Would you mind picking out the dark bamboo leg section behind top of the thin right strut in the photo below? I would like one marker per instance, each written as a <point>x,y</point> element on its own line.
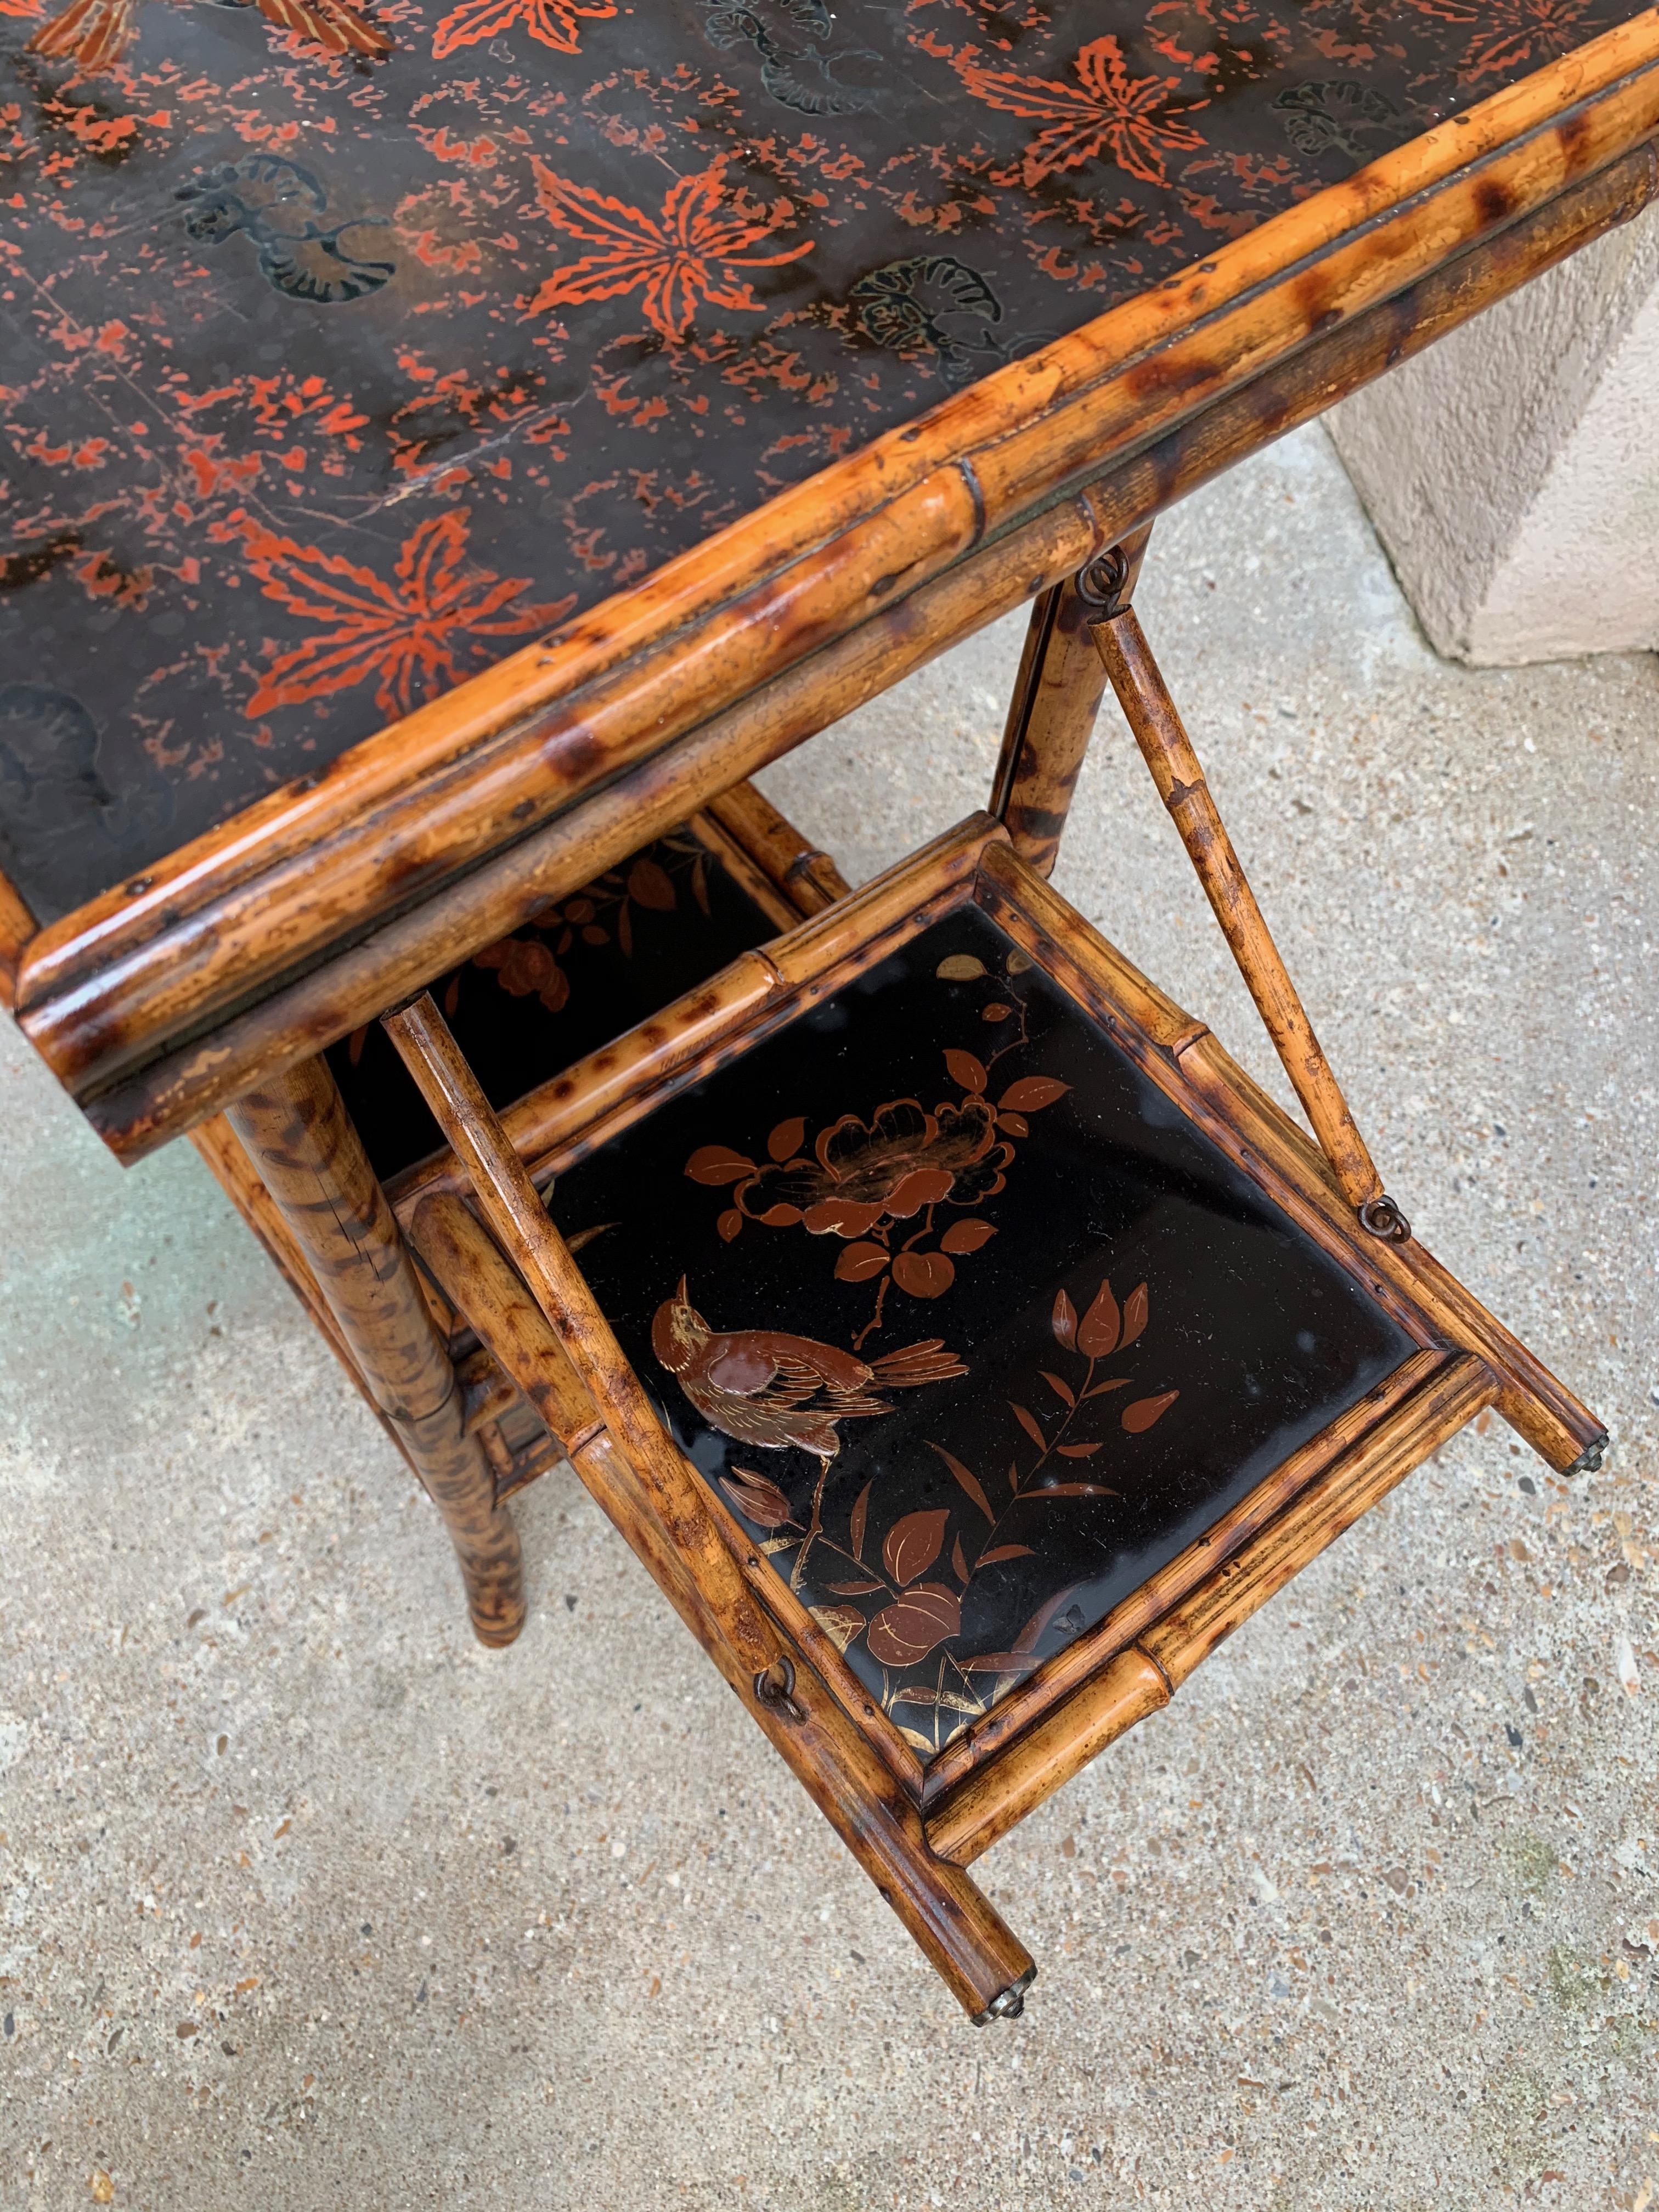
<point>1052,716</point>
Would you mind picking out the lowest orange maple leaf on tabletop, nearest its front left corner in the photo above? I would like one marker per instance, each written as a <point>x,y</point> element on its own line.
<point>406,634</point>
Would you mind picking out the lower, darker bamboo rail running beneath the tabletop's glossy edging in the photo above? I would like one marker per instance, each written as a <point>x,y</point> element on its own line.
<point>187,1081</point>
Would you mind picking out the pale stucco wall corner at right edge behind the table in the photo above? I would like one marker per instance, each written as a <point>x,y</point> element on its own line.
<point>1514,470</point>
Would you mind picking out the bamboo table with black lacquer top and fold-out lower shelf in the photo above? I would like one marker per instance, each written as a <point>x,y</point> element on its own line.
<point>452,455</point>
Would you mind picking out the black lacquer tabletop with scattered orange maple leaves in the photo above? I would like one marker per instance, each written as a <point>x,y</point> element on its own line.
<point>333,379</point>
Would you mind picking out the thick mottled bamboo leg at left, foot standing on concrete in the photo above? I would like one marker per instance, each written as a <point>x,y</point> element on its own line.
<point>315,1169</point>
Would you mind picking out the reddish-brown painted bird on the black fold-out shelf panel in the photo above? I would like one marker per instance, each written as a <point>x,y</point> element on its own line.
<point>775,1390</point>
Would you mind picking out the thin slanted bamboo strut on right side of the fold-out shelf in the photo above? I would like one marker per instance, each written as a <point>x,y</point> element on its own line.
<point>1180,782</point>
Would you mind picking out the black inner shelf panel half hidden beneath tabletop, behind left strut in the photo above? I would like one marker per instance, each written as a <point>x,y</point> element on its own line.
<point>589,968</point>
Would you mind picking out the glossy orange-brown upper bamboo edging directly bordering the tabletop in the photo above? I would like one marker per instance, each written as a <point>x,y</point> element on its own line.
<point>446,789</point>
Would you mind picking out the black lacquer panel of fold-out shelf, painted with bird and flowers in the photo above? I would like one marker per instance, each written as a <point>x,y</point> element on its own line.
<point>961,1317</point>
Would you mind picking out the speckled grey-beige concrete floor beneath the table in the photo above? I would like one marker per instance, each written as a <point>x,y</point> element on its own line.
<point>309,1901</point>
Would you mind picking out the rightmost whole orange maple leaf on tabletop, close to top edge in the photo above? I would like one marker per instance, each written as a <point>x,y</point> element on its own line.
<point>1107,114</point>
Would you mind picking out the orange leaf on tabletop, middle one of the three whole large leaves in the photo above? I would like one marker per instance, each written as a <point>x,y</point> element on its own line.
<point>691,251</point>
